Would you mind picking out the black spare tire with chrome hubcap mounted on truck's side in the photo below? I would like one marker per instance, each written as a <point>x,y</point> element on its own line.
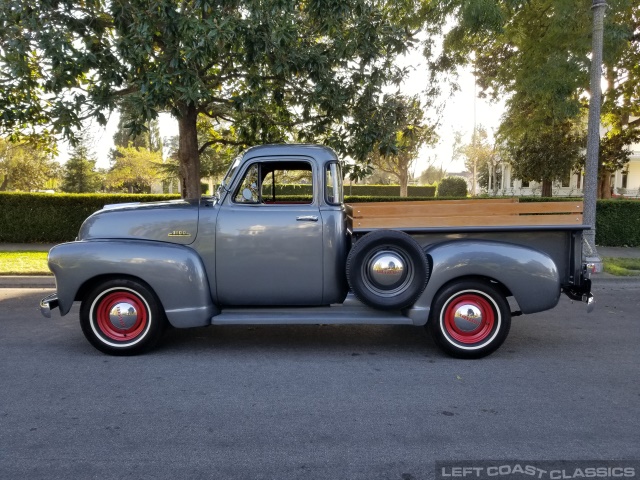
<point>387,269</point>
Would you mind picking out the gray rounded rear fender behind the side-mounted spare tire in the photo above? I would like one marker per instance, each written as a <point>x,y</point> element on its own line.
<point>530,275</point>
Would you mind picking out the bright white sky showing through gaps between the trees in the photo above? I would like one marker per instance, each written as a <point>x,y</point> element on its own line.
<point>457,115</point>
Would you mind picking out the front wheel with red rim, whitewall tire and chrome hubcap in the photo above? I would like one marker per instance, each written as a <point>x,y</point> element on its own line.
<point>122,317</point>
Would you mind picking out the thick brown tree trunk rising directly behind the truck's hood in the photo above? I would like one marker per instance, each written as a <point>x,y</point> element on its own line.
<point>188,154</point>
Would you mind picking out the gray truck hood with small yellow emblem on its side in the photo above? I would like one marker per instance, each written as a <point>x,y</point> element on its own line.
<point>174,221</point>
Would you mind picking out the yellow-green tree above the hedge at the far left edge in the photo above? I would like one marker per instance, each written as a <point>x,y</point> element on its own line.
<point>26,166</point>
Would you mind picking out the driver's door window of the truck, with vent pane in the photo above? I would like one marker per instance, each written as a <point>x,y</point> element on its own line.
<point>276,183</point>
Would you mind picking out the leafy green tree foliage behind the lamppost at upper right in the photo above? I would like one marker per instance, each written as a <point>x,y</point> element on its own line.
<point>537,53</point>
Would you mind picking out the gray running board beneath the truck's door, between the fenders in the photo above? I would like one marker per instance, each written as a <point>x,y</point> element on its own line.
<point>340,314</point>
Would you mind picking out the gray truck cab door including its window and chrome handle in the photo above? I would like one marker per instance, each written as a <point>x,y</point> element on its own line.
<point>269,237</point>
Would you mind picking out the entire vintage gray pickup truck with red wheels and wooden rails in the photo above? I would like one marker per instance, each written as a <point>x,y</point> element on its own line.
<point>277,245</point>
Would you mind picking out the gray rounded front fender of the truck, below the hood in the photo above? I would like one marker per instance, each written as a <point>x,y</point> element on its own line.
<point>174,272</point>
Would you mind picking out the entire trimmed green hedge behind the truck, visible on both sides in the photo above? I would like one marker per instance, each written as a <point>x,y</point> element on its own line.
<point>52,218</point>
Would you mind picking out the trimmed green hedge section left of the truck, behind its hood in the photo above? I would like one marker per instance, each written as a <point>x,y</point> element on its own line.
<point>52,218</point>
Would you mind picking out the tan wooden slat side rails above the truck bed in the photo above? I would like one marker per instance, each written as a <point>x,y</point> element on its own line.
<point>462,213</point>
